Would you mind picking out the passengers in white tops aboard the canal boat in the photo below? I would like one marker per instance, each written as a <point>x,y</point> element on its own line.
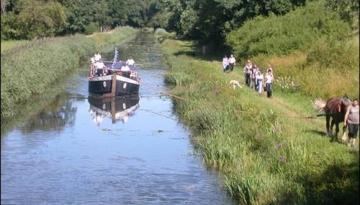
<point>98,67</point>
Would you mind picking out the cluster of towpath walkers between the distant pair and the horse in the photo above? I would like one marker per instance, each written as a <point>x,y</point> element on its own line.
<point>255,79</point>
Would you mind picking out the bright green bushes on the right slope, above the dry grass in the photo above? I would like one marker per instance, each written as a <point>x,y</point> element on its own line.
<point>296,30</point>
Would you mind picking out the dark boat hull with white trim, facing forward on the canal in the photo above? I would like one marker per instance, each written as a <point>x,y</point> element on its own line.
<point>113,85</point>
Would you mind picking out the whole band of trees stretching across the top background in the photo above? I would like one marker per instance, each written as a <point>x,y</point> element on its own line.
<point>208,21</point>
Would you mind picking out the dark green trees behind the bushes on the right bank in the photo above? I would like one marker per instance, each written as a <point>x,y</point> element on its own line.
<point>209,21</point>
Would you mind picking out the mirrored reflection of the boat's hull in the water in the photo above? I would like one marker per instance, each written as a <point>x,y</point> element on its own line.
<point>115,108</point>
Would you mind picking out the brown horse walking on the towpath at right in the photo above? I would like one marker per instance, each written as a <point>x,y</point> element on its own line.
<point>335,109</point>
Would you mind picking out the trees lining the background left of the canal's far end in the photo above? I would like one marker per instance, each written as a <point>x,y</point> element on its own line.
<point>28,19</point>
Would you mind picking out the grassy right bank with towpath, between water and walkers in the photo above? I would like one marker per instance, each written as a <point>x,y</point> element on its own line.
<point>267,150</point>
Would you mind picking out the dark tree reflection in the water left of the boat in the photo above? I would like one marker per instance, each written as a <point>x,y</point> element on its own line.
<point>56,116</point>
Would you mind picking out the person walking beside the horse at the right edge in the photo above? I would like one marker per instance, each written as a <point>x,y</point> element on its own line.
<point>352,121</point>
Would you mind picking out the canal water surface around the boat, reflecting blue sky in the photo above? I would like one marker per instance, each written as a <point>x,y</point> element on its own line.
<point>76,152</point>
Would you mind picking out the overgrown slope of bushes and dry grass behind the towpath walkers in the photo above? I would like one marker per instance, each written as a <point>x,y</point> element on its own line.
<point>311,49</point>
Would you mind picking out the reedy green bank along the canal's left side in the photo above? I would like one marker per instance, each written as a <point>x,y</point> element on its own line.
<point>28,69</point>
